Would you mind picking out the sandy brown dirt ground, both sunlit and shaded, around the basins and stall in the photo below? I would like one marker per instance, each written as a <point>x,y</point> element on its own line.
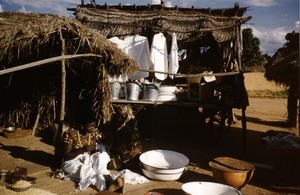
<point>277,170</point>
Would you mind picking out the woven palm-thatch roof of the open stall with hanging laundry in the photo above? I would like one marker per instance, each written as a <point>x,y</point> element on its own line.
<point>190,24</point>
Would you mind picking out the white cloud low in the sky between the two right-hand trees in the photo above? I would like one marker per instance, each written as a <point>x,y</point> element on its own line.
<point>270,39</point>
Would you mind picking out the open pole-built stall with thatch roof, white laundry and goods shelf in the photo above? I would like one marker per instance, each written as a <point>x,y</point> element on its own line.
<point>194,49</point>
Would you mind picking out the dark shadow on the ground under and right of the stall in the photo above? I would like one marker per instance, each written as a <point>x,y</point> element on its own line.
<point>276,170</point>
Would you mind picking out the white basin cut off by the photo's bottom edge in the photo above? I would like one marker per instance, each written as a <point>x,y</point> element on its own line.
<point>208,188</point>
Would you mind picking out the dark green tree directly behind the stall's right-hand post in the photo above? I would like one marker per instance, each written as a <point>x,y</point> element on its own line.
<point>252,55</point>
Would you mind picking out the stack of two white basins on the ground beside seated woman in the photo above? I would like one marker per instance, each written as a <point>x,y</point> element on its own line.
<point>164,165</point>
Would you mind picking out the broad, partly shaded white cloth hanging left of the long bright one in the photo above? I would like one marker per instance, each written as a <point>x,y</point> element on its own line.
<point>137,47</point>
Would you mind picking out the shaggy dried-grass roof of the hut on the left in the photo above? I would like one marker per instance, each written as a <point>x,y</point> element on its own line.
<point>24,36</point>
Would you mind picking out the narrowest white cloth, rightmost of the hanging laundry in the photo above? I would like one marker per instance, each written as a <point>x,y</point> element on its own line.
<point>173,56</point>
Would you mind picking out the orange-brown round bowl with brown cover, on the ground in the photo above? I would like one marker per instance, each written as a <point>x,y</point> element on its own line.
<point>231,171</point>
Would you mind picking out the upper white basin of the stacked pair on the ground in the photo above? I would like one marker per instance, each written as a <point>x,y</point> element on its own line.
<point>164,161</point>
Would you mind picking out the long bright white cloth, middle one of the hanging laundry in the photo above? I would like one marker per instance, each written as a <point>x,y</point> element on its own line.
<point>159,55</point>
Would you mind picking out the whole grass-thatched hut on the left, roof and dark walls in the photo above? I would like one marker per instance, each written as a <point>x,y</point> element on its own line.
<point>29,37</point>
